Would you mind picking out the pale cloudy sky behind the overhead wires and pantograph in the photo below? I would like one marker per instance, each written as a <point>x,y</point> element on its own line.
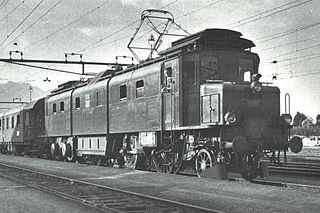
<point>286,32</point>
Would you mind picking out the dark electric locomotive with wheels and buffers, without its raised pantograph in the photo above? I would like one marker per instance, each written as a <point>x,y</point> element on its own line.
<point>199,103</point>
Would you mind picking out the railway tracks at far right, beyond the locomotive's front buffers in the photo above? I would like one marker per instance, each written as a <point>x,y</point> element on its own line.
<point>305,169</point>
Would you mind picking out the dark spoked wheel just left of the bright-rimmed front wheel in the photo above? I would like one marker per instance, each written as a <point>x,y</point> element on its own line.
<point>164,161</point>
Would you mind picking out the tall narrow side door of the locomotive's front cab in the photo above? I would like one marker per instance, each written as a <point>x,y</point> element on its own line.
<point>169,74</point>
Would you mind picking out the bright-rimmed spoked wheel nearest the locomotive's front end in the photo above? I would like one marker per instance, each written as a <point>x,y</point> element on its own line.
<point>203,161</point>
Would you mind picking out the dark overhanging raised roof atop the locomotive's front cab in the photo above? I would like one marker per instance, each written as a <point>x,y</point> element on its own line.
<point>212,39</point>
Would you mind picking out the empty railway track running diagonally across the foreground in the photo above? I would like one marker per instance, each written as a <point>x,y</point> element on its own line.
<point>97,196</point>
